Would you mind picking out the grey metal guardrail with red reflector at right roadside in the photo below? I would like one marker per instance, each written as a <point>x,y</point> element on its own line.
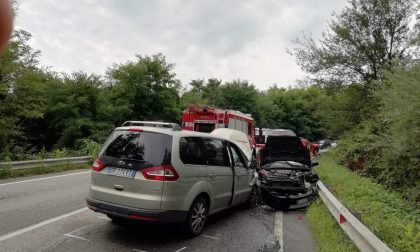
<point>362,237</point>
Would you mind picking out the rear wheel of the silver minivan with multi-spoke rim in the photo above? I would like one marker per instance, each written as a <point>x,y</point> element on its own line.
<point>196,218</point>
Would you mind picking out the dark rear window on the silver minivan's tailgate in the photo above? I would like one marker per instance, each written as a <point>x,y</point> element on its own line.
<point>146,149</point>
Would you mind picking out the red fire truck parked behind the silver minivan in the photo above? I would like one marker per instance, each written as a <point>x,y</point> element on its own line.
<point>204,118</point>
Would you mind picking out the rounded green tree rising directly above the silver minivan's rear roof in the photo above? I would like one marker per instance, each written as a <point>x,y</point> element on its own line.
<point>146,89</point>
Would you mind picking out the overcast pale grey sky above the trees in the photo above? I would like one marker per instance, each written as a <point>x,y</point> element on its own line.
<point>223,39</point>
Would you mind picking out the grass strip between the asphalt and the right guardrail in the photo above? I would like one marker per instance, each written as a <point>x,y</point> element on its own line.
<point>329,236</point>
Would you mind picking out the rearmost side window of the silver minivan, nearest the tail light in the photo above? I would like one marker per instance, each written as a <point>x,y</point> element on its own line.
<point>191,150</point>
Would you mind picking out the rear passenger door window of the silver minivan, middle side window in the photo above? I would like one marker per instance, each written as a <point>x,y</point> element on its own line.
<point>217,154</point>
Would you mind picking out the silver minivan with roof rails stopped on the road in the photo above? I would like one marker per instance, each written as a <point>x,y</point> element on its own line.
<point>165,175</point>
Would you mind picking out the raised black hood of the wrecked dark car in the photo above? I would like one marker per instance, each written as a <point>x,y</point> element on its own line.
<point>285,148</point>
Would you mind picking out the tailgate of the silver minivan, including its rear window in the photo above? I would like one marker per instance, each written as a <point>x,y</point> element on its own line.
<point>126,154</point>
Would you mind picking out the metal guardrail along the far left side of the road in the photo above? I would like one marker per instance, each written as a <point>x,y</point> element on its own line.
<point>17,165</point>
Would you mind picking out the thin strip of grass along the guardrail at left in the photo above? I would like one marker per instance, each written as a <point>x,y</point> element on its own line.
<point>5,172</point>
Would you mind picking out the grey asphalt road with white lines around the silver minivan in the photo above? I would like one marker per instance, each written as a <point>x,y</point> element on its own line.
<point>48,213</point>
